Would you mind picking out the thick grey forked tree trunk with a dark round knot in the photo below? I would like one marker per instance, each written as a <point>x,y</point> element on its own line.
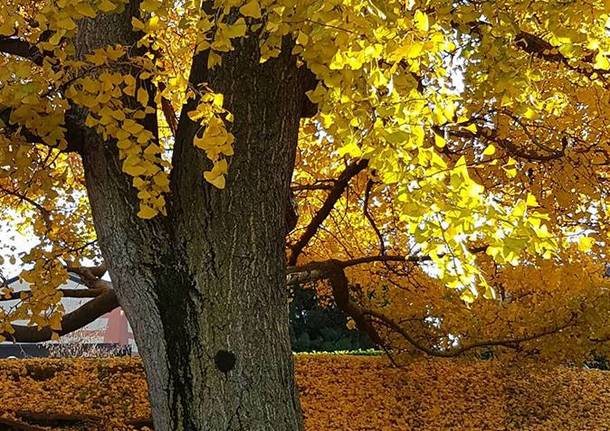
<point>204,287</point>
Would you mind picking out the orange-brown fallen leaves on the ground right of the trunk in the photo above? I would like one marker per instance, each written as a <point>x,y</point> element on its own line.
<point>439,395</point>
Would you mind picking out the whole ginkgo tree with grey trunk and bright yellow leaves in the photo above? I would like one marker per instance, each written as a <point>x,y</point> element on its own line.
<point>444,152</point>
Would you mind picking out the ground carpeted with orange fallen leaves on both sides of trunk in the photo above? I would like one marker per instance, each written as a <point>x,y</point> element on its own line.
<point>337,393</point>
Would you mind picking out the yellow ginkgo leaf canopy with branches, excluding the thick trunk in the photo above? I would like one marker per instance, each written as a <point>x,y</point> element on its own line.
<point>452,173</point>
